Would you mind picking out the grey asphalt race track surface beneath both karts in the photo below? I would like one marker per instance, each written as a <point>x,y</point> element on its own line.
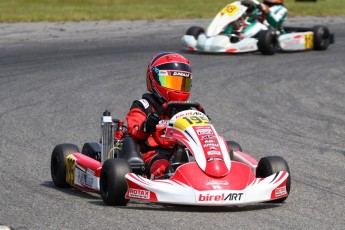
<point>56,79</point>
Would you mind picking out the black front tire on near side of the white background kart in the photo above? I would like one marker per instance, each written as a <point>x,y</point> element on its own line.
<point>267,42</point>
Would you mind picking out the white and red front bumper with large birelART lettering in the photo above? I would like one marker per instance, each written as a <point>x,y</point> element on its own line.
<point>175,191</point>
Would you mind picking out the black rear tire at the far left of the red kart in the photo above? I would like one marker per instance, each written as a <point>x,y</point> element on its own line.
<point>58,163</point>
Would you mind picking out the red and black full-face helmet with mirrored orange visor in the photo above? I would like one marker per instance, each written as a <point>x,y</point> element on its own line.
<point>169,76</point>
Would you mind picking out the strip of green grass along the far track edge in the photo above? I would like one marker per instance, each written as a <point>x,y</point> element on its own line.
<point>89,10</point>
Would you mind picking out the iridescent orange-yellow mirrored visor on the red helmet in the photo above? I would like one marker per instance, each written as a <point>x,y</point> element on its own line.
<point>180,81</point>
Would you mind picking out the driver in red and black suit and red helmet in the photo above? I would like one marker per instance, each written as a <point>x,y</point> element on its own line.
<point>169,78</point>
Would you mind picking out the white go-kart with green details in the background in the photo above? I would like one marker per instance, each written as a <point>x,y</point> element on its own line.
<point>240,27</point>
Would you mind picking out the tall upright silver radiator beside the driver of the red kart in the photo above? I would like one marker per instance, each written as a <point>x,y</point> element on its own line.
<point>107,139</point>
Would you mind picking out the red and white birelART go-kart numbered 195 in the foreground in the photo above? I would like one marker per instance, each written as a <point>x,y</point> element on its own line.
<point>204,170</point>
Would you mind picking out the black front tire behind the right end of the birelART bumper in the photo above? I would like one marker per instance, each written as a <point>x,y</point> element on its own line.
<point>273,164</point>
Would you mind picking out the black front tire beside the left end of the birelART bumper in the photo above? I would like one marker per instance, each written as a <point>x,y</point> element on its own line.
<point>113,185</point>
